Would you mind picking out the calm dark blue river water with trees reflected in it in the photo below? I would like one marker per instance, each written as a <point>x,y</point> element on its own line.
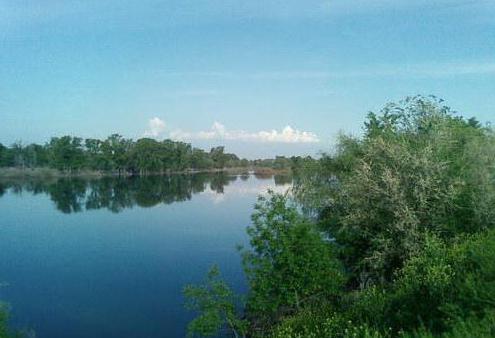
<point>109,257</point>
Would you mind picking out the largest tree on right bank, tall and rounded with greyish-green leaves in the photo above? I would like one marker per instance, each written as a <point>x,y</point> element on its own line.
<point>418,169</point>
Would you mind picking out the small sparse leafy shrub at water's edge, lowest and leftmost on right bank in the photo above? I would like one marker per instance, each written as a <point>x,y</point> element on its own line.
<point>216,303</point>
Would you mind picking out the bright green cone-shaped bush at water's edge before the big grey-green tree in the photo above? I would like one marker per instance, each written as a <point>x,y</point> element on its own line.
<point>289,264</point>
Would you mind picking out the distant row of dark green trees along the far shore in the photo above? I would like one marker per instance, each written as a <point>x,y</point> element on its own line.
<point>125,156</point>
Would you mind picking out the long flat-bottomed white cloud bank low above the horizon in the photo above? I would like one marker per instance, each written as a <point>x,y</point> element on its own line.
<point>219,132</point>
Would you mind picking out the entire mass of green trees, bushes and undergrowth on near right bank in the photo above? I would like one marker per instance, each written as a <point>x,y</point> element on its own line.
<point>392,235</point>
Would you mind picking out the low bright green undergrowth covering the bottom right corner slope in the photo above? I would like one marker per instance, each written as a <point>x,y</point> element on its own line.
<point>447,291</point>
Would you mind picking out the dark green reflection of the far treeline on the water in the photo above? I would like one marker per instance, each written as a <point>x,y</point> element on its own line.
<point>72,195</point>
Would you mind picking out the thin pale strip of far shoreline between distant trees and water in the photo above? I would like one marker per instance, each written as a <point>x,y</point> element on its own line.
<point>54,173</point>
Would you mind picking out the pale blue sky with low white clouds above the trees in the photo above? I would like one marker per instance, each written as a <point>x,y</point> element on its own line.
<point>260,77</point>
